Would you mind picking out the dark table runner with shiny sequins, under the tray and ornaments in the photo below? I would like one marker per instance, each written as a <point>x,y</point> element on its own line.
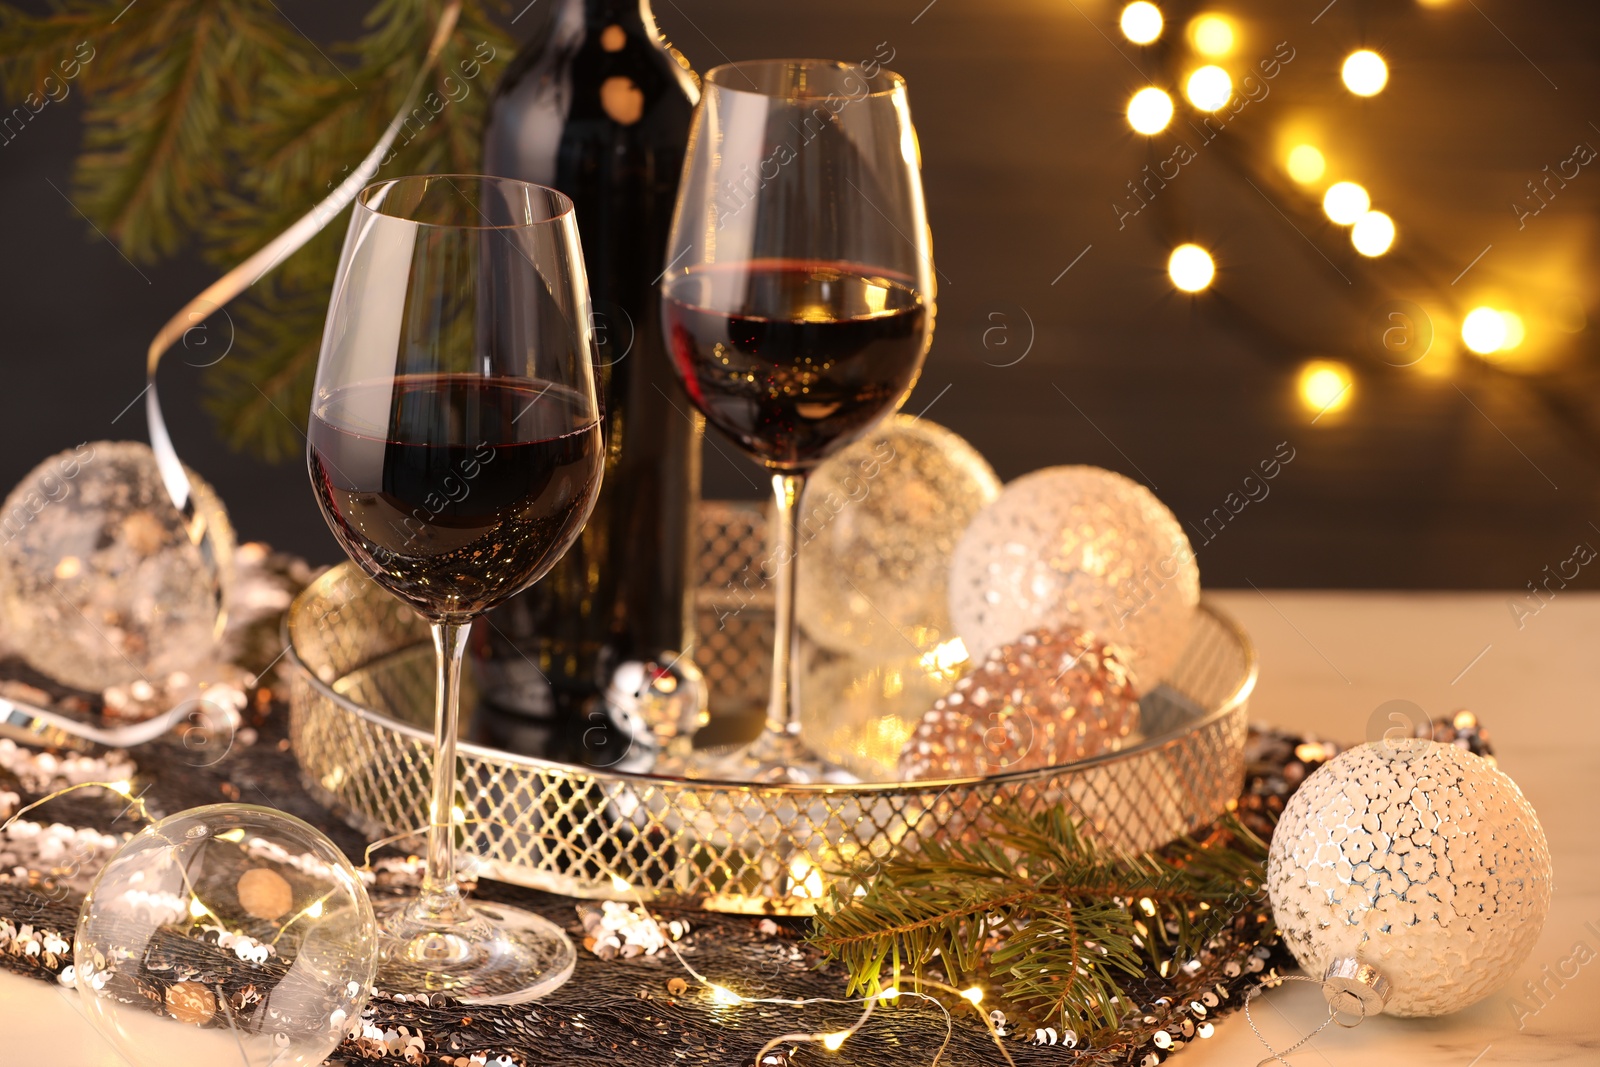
<point>628,1010</point>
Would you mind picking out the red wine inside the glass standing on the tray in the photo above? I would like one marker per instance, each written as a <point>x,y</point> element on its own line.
<point>833,350</point>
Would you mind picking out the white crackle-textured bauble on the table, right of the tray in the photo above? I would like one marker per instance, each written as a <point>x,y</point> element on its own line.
<point>1422,861</point>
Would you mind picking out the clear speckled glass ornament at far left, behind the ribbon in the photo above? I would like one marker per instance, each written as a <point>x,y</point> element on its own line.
<point>102,580</point>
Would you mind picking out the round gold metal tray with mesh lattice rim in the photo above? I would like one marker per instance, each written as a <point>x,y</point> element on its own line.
<point>361,727</point>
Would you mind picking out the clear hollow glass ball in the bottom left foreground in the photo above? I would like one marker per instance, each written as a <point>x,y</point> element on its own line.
<point>226,937</point>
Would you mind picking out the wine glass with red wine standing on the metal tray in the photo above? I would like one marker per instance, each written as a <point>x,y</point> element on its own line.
<point>798,298</point>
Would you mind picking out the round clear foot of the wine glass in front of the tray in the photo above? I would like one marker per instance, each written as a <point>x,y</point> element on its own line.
<point>495,956</point>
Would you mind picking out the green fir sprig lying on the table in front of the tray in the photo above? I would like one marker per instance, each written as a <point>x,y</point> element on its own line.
<point>1041,916</point>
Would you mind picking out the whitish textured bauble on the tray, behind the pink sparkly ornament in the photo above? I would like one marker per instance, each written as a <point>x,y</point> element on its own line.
<point>1078,546</point>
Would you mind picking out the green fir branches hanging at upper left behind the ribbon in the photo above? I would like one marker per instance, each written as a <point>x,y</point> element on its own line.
<point>215,121</point>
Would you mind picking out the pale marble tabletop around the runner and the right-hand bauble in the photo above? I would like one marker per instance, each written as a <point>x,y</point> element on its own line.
<point>1327,663</point>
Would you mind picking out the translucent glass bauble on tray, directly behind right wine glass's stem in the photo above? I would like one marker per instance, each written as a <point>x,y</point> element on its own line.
<point>884,519</point>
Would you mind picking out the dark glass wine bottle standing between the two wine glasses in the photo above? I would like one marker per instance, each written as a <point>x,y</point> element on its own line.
<point>599,106</point>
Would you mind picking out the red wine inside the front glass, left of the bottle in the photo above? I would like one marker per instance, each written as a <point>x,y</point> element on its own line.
<point>455,492</point>
